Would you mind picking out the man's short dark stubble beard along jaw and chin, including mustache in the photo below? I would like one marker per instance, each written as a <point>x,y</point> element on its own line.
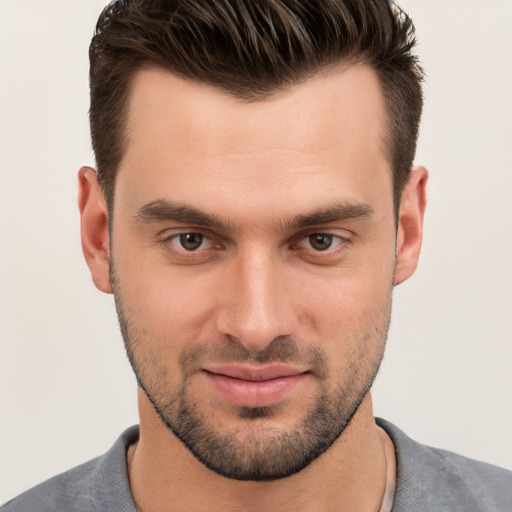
<point>251,452</point>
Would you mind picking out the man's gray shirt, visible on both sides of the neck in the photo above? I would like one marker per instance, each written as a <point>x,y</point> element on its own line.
<point>428,480</point>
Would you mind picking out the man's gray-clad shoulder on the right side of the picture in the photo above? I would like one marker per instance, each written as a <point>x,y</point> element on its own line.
<point>440,480</point>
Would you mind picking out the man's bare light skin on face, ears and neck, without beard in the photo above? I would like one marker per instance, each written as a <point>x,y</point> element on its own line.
<point>257,167</point>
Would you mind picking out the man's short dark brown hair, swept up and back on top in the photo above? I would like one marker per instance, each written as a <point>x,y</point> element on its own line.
<point>251,49</point>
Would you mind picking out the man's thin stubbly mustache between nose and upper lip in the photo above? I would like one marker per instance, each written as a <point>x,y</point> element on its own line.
<point>282,349</point>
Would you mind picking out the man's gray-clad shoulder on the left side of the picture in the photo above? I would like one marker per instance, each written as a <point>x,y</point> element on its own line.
<point>100,484</point>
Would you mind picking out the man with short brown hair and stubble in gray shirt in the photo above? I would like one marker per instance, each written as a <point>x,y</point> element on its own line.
<point>252,211</point>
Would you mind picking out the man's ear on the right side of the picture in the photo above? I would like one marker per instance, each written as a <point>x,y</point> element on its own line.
<point>410,224</point>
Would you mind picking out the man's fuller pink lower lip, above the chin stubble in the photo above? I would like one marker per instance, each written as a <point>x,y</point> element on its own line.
<point>246,393</point>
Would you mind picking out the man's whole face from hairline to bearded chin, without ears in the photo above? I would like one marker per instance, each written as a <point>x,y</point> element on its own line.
<point>253,255</point>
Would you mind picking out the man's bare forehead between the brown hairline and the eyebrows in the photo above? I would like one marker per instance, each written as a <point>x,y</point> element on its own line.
<point>324,135</point>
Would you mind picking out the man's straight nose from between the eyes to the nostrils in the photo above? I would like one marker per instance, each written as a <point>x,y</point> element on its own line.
<point>256,303</point>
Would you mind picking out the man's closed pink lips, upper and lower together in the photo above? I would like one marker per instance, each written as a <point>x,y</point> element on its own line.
<point>250,386</point>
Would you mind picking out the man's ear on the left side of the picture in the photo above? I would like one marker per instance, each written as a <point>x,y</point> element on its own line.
<point>94,227</point>
